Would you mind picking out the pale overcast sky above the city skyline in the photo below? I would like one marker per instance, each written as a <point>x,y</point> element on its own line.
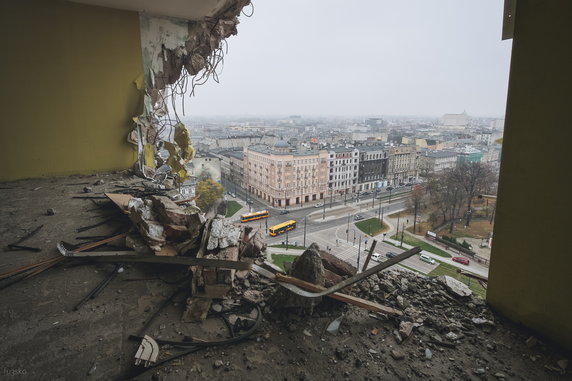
<point>368,57</point>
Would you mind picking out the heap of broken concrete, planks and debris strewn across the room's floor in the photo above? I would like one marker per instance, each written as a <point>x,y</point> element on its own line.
<point>210,285</point>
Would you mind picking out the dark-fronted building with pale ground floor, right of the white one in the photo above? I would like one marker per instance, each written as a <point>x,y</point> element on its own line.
<point>372,167</point>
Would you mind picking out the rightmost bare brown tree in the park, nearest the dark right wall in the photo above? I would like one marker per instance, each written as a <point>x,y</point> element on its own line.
<point>472,177</point>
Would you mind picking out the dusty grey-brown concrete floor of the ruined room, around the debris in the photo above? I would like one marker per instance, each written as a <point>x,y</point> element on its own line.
<point>42,338</point>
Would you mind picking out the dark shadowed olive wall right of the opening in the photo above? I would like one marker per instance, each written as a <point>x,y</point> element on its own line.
<point>530,277</point>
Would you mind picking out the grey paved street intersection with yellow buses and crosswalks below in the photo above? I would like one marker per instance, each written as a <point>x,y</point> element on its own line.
<point>333,229</point>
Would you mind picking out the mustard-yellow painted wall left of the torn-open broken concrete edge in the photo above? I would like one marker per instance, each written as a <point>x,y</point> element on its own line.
<point>66,86</point>
